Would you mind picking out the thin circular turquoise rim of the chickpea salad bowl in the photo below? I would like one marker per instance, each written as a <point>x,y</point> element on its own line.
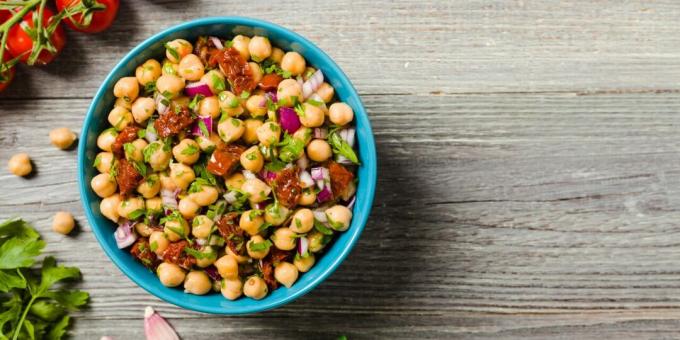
<point>370,160</point>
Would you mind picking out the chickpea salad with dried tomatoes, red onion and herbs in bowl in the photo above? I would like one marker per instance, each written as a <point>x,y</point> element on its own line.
<point>229,166</point>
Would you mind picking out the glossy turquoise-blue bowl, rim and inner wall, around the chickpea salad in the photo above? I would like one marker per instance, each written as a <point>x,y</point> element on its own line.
<point>96,121</point>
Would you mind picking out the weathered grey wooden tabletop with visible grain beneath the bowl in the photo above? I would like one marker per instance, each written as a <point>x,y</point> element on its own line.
<point>529,175</point>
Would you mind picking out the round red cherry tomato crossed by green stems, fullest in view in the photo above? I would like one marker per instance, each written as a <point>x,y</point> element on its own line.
<point>19,43</point>
